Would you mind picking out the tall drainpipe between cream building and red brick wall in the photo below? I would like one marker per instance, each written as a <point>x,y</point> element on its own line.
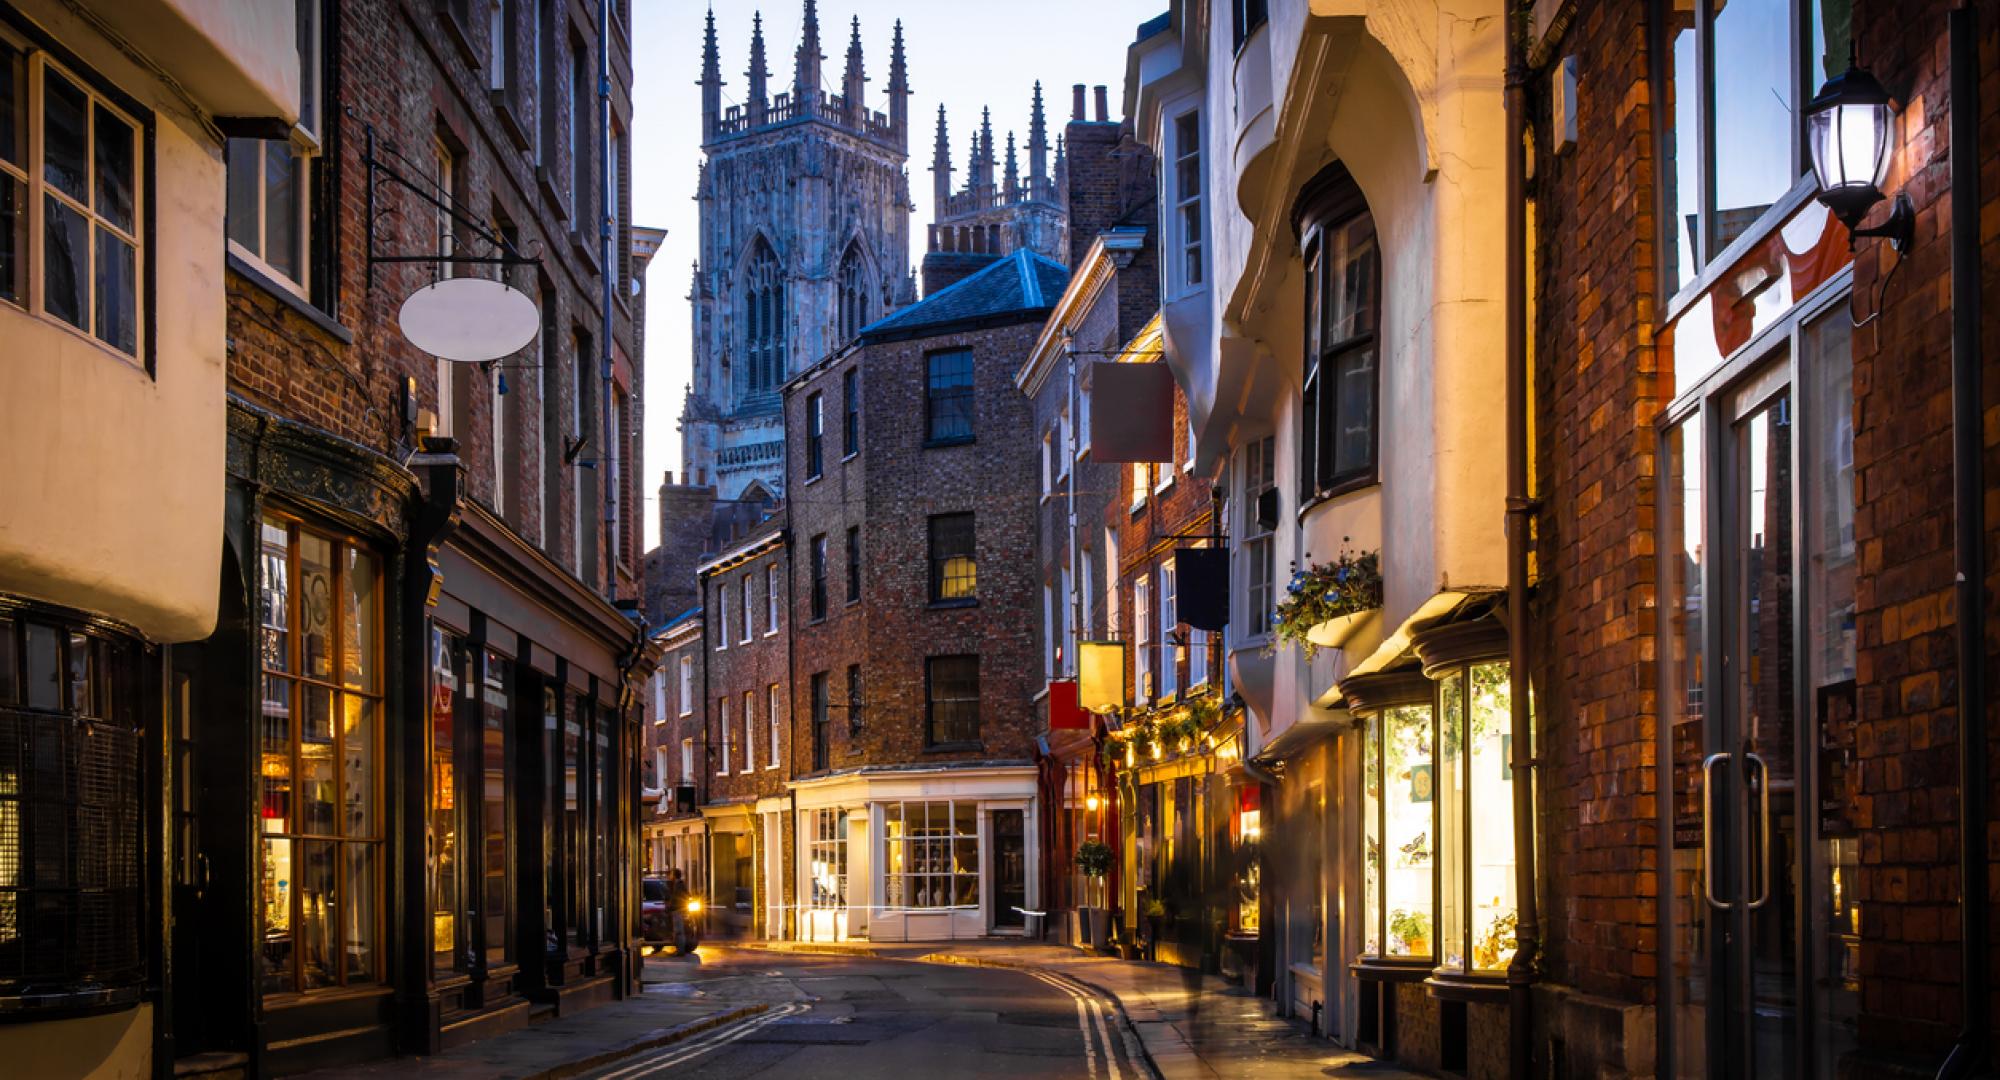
<point>1519,517</point>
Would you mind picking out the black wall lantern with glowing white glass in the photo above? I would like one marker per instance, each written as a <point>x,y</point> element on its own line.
<point>1851,133</point>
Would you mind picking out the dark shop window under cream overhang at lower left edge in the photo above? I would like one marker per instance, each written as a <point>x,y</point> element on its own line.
<point>71,815</point>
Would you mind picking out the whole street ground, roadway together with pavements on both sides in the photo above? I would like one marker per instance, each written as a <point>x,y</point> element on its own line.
<point>863,1009</point>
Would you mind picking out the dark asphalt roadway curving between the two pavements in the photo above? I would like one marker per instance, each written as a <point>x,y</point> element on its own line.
<point>853,1019</point>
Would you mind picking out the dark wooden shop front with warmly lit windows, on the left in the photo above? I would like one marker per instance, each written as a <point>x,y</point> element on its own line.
<point>395,769</point>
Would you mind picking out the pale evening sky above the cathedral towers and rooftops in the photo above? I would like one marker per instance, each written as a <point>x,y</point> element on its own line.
<point>961,53</point>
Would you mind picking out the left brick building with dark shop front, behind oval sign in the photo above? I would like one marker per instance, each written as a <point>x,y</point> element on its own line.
<point>419,723</point>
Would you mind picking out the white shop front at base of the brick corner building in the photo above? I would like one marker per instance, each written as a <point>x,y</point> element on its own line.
<point>903,855</point>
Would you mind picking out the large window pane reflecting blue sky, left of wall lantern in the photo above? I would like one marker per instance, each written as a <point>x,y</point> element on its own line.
<point>1753,109</point>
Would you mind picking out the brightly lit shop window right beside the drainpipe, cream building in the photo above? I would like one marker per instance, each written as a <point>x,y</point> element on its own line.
<point>1475,821</point>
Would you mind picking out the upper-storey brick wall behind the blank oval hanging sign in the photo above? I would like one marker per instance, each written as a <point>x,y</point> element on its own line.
<point>413,75</point>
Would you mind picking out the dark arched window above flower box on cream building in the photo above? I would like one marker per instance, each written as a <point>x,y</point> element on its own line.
<point>1339,407</point>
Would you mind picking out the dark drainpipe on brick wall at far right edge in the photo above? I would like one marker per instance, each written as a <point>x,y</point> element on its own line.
<point>1969,537</point>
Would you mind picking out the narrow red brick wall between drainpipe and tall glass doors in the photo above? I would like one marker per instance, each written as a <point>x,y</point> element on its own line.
<point>1599,385</point>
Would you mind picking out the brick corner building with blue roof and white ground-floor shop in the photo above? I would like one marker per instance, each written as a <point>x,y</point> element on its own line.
<point>913,523</point>
